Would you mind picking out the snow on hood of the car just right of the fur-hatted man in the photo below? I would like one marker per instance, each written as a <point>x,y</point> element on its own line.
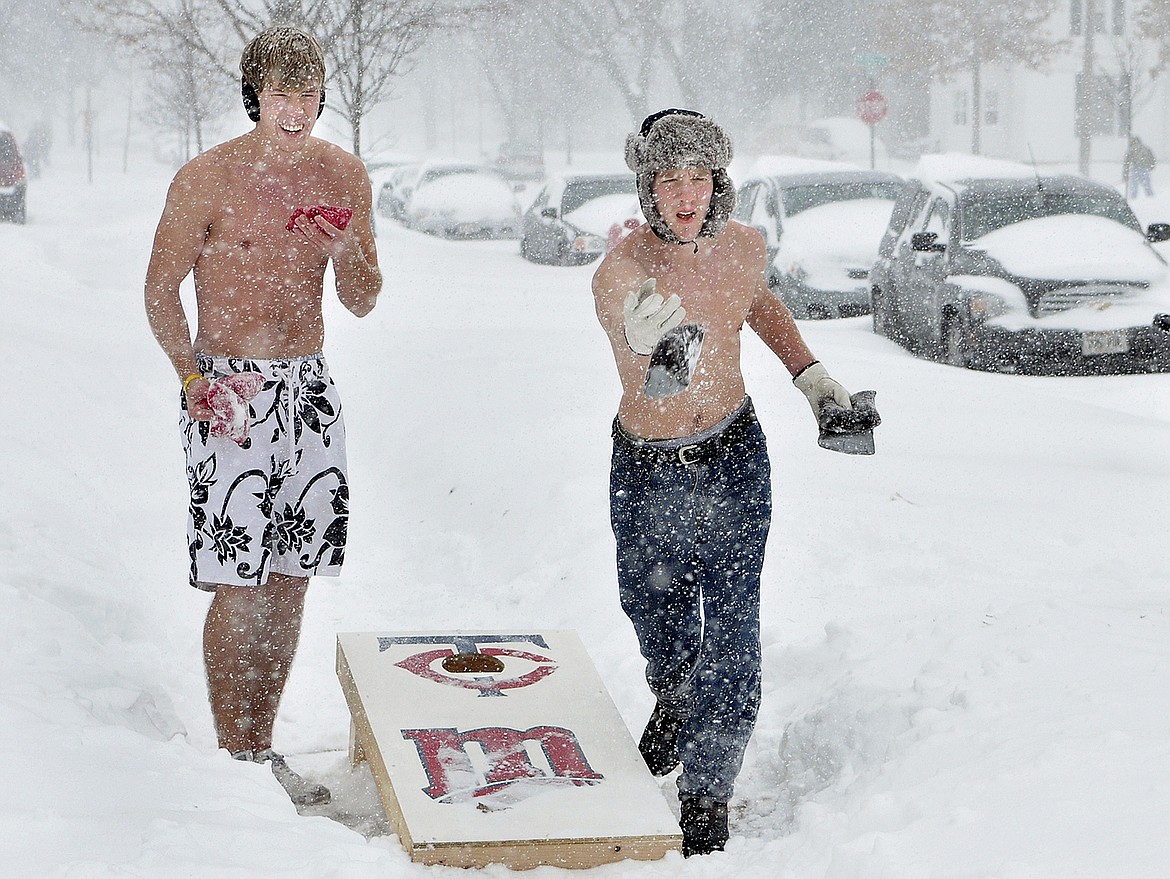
<point>828,241</point>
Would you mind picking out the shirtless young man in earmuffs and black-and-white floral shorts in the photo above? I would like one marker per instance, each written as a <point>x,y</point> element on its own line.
<point>270,497</point>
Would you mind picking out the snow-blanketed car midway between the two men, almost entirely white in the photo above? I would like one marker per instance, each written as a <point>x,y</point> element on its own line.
<point>467,204</point>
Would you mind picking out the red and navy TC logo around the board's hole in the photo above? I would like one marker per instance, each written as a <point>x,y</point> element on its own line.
<point>464,664</point>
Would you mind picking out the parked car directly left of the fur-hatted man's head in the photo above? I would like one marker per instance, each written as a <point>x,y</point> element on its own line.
<point>573,218</point>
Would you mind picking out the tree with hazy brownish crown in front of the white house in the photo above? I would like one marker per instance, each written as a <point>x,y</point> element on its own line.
<point>942,39</point>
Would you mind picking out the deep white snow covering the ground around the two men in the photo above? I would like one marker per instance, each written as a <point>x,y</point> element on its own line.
<point>967,636</point>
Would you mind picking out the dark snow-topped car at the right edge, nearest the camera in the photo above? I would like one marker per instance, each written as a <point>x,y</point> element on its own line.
<point>995,266</point>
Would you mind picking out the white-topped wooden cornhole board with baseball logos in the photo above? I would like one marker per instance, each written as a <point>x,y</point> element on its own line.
<point>500,748</point>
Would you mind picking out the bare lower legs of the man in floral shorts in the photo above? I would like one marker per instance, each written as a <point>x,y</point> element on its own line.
<point>250,641</point>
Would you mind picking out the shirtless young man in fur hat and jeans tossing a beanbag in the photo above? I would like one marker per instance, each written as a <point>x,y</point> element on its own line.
<point>691,491</point>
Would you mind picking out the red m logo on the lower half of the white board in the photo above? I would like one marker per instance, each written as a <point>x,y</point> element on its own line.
<point>505,759</point>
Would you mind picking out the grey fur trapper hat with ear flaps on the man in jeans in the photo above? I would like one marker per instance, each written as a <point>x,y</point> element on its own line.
<point>682,139</point>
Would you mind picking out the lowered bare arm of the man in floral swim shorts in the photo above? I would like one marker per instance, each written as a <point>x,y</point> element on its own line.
<point>178,243</point>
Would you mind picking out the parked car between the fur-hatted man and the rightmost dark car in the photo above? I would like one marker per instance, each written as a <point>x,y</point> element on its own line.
<point>822,225</point>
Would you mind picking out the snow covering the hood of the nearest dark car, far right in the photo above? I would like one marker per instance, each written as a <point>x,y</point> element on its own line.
<point>1073,248</point>
